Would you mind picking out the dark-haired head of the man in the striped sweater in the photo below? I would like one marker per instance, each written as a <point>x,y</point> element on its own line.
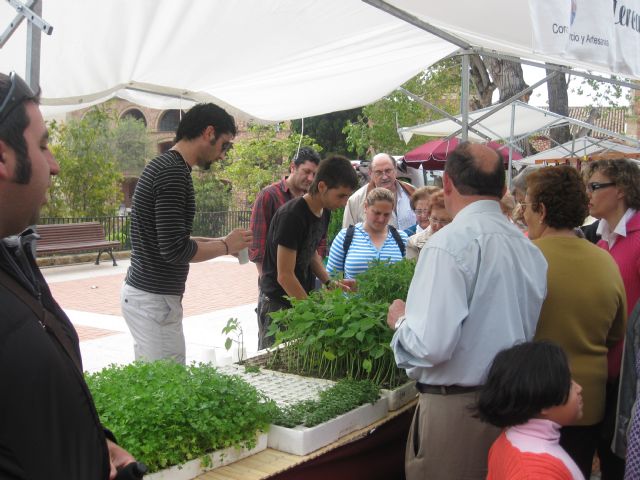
<point>212,127</point>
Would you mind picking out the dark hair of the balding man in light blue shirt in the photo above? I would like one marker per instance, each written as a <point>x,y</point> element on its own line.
<point>469,178</point>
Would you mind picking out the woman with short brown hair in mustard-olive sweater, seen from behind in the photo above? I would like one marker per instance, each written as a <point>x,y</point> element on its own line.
<point>585,310</point>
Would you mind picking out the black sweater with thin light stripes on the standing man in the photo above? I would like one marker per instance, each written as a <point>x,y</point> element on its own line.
<point>161,223</point>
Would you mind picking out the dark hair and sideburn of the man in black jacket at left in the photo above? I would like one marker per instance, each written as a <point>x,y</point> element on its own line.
<point>12,130</point>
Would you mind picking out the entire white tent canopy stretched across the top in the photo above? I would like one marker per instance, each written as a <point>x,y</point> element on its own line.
<point>283,59</point>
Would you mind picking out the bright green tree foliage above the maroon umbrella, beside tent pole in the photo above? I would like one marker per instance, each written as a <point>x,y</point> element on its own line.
<point>376,129</point>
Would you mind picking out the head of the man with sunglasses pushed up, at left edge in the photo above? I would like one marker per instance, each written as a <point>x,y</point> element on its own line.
<point>26,163</point>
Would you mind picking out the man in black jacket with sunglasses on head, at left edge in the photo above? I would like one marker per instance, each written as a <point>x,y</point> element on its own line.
<point>49,428</point>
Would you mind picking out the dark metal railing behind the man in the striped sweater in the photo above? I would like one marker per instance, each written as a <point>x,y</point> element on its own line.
<point>205,224</point>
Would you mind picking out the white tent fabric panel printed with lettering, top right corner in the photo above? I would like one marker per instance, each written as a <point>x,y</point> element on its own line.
<point>594,35</point>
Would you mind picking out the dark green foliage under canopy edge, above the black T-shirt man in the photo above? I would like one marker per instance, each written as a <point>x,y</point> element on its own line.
<point>327,129</point>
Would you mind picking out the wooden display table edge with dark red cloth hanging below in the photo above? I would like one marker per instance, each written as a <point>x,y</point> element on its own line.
<point>376,451</point>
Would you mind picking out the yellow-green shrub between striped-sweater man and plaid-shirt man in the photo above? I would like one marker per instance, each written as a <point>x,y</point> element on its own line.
<point>259,160</point>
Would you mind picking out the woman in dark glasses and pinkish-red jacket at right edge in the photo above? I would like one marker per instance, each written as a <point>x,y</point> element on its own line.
<point>613,187</point>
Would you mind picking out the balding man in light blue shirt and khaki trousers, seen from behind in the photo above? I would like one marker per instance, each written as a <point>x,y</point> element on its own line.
<point>477,289</point>
